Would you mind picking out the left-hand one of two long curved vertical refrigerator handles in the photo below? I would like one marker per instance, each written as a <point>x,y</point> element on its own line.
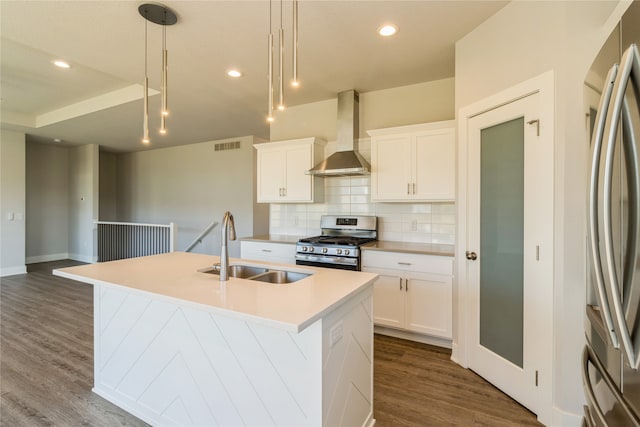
<point>596,145</point>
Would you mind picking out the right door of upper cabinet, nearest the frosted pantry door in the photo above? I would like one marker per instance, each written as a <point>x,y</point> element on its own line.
<point>435,166</point>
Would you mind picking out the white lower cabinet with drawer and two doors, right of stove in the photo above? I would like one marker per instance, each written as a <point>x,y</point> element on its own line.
<point>413,292</point>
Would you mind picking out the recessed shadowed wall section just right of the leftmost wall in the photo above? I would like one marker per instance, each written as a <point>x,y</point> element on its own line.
<point>47,192</point>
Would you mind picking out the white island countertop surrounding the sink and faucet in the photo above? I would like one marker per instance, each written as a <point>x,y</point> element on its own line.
<point>291,306</point>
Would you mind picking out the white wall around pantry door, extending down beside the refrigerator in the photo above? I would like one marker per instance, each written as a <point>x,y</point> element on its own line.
<point>523,40</point>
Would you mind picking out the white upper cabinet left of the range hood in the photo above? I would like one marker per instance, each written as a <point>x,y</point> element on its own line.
<point>281,171</point>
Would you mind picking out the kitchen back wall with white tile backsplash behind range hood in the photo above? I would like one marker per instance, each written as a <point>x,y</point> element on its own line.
<point>419,103</point>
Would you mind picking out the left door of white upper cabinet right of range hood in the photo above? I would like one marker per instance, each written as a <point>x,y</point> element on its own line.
<point>391,168</point>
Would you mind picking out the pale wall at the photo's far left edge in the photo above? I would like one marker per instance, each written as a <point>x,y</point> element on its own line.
<point>12,203</point>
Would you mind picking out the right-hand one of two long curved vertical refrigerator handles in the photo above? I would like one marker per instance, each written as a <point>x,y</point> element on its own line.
<point>629,63</point>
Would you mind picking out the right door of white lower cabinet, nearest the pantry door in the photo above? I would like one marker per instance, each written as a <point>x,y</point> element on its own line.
<point>428,305</point>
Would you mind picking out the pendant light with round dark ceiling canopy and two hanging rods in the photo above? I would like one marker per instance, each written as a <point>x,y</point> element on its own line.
<point>161,15</point>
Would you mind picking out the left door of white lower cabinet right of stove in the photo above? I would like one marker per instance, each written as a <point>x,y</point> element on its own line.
<point>388,301</point>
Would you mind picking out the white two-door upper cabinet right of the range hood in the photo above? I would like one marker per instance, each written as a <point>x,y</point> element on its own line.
<point>413,163</point>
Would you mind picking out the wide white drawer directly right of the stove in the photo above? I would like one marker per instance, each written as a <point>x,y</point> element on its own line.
<point>408,262</point>
